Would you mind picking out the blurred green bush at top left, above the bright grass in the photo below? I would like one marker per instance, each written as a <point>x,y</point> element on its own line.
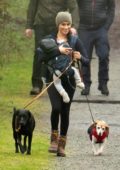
<point>13,42</point>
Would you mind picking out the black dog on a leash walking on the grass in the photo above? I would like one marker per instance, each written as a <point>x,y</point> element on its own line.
<point>23,123</point>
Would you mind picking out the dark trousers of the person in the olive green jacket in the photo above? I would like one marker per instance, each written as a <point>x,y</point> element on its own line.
<point>39,69</point>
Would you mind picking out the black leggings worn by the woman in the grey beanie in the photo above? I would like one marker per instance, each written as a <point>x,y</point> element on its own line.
<point>60,110</point>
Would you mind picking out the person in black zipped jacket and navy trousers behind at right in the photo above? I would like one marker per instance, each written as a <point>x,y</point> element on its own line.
<point>96,17</point>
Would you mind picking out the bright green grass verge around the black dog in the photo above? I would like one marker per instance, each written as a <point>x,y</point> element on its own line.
<point>15,84</point>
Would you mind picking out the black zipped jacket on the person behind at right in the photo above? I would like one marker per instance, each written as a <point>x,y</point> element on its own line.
<point>96,13</point>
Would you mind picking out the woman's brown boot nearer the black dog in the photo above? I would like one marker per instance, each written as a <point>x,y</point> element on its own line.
<point>54,142</point>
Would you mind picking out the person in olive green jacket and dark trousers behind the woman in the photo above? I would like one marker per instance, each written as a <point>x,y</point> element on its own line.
<point>40,18</point>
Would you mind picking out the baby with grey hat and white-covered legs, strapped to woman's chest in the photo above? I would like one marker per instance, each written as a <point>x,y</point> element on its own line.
<point>59,64</point>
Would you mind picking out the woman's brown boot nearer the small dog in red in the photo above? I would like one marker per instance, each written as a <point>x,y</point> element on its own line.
<point>61,146</point>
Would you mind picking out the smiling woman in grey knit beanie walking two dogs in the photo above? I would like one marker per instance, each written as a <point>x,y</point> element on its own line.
<point>61,110</point>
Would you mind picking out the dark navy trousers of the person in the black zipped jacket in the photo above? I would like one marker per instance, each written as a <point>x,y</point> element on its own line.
<point>98,39</point>
